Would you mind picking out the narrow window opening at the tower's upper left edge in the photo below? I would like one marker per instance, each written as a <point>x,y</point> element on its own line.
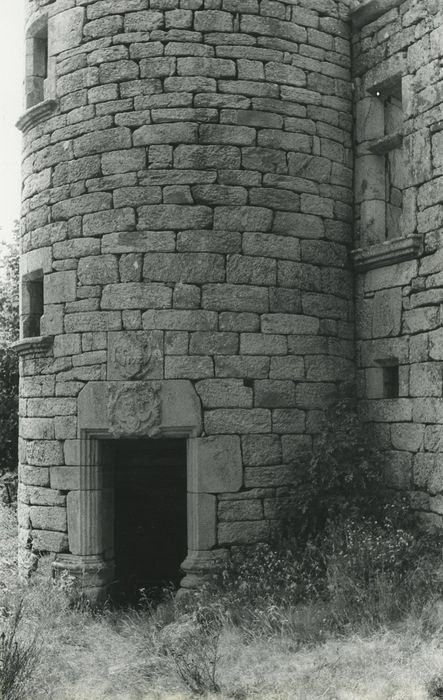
<point>36,63</point>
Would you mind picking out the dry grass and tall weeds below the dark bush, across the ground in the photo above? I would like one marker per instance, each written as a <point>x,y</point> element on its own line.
<point>357,617</point>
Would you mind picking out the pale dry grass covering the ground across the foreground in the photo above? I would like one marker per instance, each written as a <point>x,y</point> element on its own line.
<point>289,653</point>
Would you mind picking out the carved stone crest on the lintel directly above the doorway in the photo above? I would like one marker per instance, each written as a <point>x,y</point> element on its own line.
<point>134,409</point>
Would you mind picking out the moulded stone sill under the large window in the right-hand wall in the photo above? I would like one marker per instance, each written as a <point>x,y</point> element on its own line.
<point>390,252</point>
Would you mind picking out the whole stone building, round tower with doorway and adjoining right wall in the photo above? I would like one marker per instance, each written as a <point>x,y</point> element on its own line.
<point>187,283</point>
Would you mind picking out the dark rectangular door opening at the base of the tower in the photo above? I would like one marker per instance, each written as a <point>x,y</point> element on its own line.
<point>150,525</point>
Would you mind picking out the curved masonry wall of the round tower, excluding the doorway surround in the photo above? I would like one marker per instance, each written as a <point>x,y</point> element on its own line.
<point>192,188</point>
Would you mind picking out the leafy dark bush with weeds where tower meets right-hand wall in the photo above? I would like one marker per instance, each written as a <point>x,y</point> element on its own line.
<point>351,548</point>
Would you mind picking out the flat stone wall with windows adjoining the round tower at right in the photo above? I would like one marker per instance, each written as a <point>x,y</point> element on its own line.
<point>399,215</point>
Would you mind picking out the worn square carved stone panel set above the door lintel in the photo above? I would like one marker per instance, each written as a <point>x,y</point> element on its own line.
<point>135,355</point>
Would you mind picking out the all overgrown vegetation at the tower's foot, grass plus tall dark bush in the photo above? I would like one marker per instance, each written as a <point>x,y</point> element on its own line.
<point>347,605</point>
